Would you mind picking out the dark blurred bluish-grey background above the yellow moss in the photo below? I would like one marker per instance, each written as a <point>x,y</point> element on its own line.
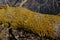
<point>40,6</point>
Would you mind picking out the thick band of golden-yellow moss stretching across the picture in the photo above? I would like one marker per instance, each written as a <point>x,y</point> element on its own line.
<point>38,23</point>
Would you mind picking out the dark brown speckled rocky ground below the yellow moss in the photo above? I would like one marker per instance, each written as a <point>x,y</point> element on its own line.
<point>19,34</point>
